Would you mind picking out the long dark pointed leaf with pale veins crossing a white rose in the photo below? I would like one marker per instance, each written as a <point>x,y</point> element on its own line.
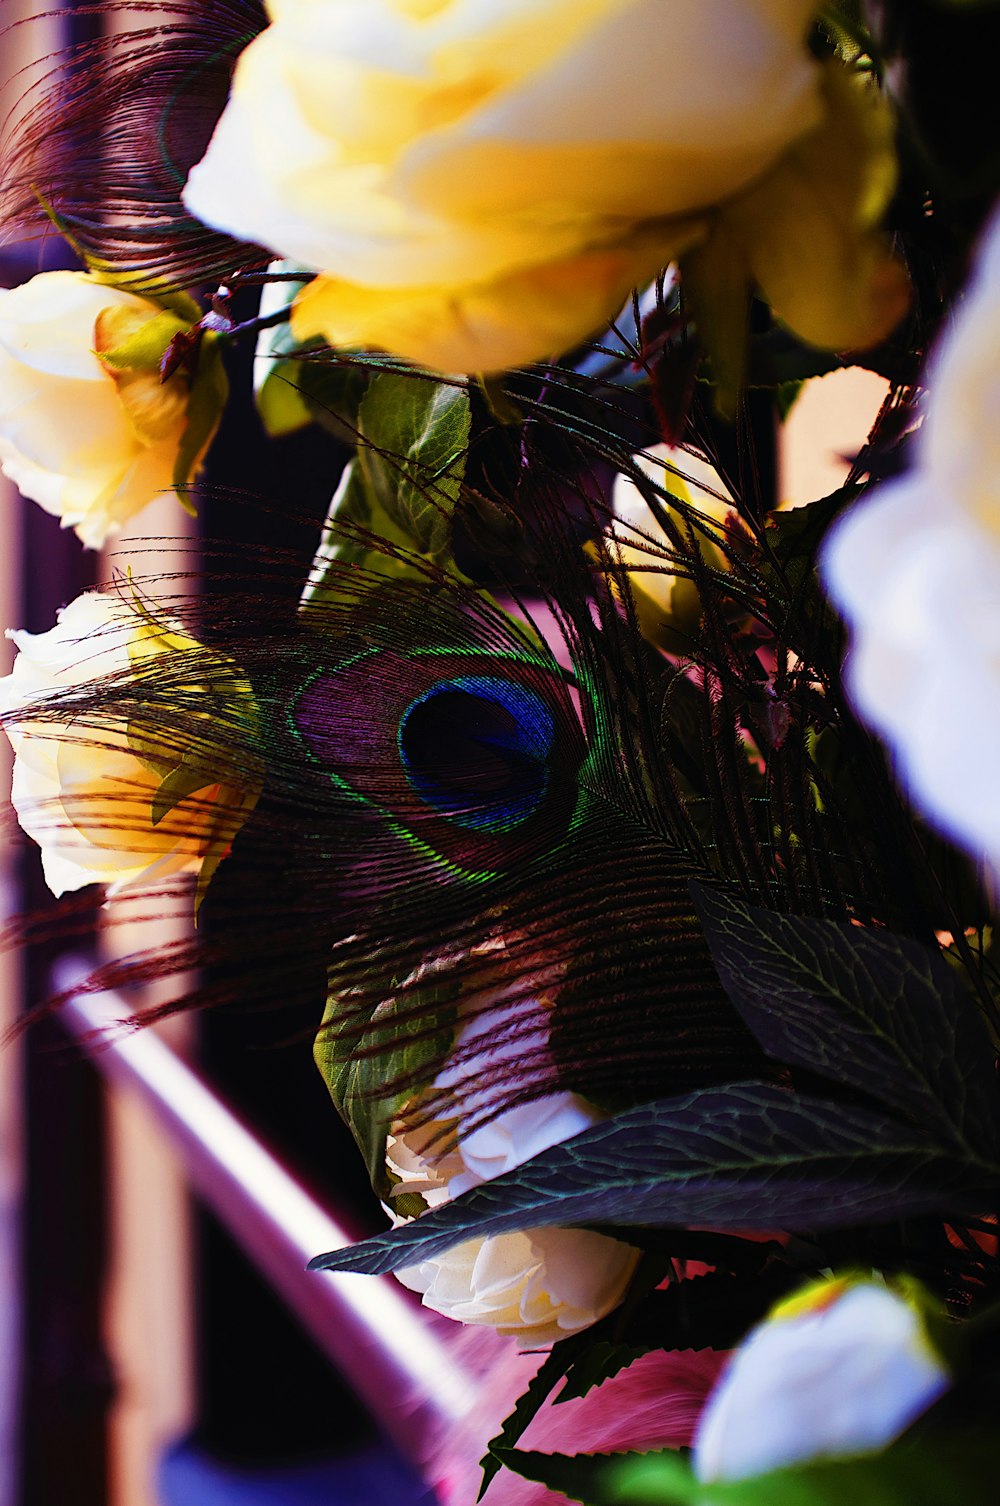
<point>751,1156</point>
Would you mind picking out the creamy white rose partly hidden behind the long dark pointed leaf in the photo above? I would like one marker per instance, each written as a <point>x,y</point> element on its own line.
<point>535,1285</point>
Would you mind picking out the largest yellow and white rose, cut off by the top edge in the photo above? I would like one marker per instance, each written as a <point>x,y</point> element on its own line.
<point>481,184</point>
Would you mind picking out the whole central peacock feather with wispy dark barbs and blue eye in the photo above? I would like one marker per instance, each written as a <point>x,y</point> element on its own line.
<point>441,784</point>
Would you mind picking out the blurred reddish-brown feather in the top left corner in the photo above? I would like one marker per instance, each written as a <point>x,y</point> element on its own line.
<point>105,142</point>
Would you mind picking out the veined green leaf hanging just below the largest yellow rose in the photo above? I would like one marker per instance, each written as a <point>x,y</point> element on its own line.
<point>415,434</point>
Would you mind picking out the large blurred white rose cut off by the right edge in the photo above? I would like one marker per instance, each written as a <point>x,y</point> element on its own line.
<point>915,569</point>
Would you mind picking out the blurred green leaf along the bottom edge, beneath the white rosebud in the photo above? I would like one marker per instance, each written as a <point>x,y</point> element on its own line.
<point>933,1471</point>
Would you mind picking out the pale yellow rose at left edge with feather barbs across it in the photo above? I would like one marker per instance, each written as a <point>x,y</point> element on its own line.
<point>106,797</point>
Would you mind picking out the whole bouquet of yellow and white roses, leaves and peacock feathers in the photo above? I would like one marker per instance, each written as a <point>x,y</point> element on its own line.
<point>657,934</point>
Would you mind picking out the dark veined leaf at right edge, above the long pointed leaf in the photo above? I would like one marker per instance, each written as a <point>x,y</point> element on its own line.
<point>865,1008</point>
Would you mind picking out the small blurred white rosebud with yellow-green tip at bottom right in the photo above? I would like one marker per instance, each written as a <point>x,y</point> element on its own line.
<point>840,1370</point>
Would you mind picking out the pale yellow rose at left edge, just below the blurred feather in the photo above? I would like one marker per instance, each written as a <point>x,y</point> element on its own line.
<point>88,441</point>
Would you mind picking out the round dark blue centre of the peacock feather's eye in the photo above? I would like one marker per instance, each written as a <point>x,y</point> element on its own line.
<point>477,749</point>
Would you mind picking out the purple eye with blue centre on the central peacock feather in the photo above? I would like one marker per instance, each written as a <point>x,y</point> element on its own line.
<point>471,757</point>
